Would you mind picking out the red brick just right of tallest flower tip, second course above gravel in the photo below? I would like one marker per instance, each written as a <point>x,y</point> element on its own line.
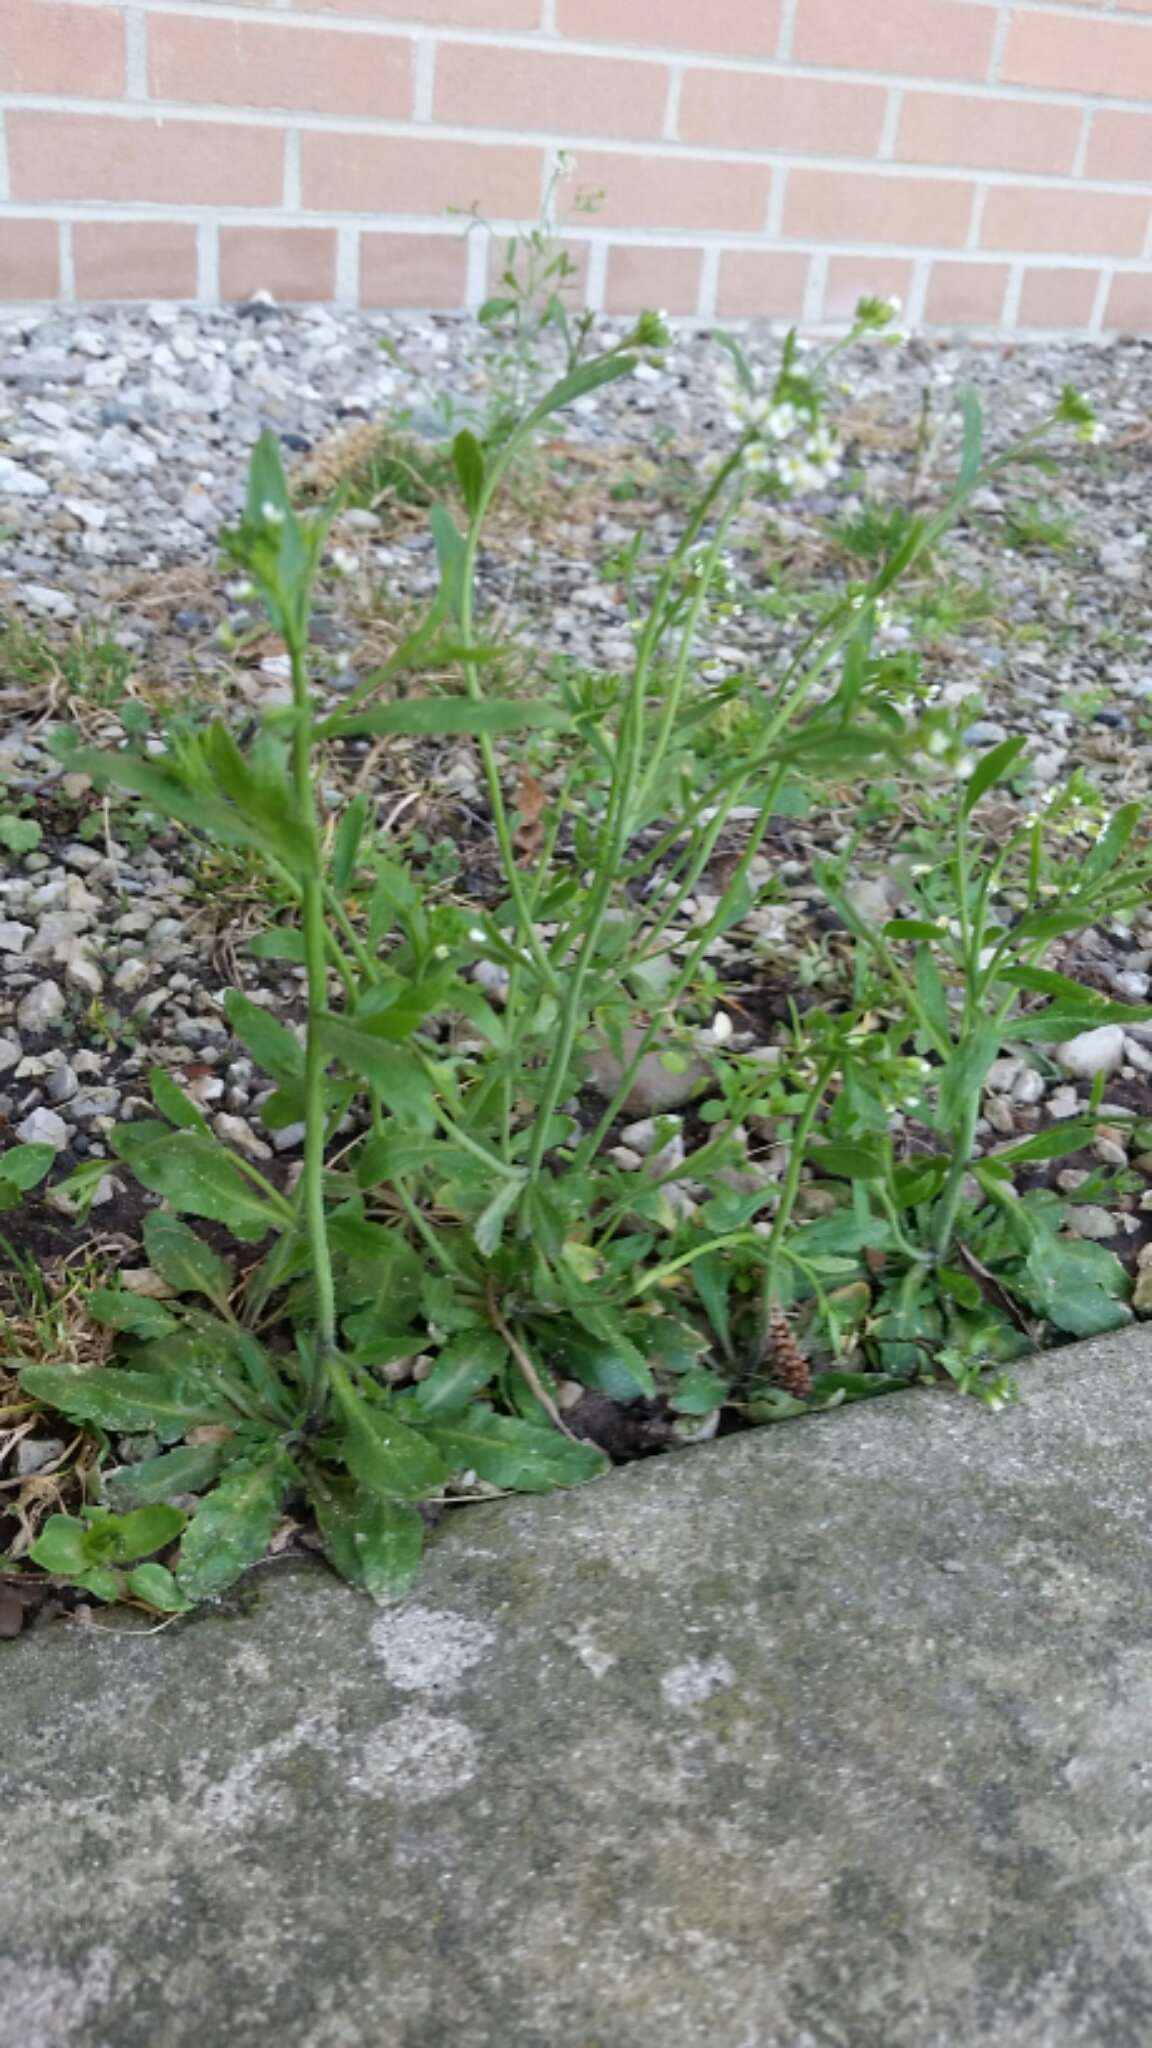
<point>677,191</point>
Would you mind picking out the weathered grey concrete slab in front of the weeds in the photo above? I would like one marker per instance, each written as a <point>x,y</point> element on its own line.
<point>831,1738</point>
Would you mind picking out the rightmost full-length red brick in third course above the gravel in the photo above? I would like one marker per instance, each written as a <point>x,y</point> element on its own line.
<point>958,128</point>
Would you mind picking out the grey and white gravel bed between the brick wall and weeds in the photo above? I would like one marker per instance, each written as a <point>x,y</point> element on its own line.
<point>124,443</point>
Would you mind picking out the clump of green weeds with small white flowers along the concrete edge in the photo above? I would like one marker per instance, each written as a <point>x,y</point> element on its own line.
<point>462,1244</point>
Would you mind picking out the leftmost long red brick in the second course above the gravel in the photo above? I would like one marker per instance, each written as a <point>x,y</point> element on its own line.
<point>161,161</point>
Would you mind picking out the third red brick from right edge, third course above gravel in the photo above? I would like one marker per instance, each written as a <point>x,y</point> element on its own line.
<point>805,116</point>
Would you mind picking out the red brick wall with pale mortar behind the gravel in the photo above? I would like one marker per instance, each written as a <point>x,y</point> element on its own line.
<point>989,161</point>
